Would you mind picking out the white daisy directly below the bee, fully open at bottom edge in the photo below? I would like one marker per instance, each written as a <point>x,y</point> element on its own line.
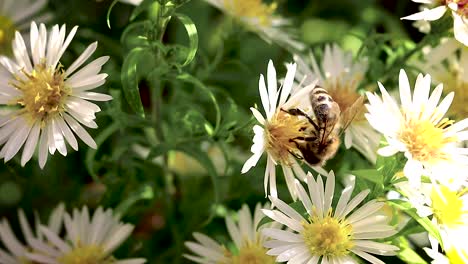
<point>328,235</point>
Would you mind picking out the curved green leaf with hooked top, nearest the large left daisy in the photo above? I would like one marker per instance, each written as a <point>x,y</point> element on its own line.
<point>129,77</point>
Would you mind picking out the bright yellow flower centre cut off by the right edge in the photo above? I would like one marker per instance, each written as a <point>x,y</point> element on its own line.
<point>448,207</point>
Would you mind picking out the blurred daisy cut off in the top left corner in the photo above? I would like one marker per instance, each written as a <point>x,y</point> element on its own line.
<point>17,15</point>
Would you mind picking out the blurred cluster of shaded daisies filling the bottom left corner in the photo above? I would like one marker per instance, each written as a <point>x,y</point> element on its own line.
<point>87,238</point>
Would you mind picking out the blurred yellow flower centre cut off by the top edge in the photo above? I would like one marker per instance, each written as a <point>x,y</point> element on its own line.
<point>253,9</point>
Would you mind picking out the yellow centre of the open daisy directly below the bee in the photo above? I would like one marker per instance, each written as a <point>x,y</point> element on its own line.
<point>327,236</point>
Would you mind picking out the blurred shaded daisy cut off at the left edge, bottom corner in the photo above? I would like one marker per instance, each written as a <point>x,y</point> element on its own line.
<point>16,251</point>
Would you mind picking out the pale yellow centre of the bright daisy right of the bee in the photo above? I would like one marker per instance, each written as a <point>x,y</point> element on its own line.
<point>425,140</point>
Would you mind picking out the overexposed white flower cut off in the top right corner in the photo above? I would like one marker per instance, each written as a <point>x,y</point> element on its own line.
<point>435,9</point>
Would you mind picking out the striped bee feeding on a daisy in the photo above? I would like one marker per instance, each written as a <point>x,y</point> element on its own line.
<point>321,140</point>
